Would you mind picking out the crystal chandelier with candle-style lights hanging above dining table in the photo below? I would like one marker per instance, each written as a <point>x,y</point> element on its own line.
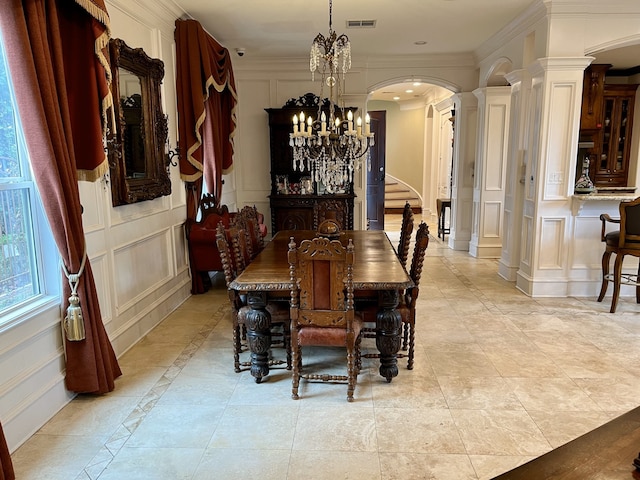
<point>329,147</point>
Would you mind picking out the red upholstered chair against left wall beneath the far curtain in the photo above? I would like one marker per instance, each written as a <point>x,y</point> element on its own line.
<point>203,252</point>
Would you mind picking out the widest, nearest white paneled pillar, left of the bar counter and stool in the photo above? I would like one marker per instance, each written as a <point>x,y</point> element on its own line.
<point>554,122</point>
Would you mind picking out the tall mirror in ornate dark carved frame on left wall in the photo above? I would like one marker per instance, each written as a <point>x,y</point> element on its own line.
<point>138,162</point>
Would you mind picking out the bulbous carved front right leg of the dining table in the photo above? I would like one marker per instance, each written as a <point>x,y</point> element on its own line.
<point>388,322</point>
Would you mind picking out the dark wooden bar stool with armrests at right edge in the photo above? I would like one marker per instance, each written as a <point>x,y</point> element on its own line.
<point>625,241</point>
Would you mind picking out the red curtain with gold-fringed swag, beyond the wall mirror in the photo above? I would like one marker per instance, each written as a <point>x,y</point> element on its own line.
<point>206,97</point>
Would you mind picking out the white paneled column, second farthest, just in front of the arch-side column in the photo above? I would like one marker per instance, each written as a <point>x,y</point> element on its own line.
<point>490,171</point>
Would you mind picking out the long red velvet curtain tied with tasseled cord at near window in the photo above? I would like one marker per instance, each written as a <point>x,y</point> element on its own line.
<point>48,42</point>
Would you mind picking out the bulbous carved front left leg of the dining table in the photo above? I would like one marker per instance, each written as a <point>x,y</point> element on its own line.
<point>258,334</point>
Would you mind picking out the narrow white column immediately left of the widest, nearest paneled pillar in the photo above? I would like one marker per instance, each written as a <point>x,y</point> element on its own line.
<point>516,164</point>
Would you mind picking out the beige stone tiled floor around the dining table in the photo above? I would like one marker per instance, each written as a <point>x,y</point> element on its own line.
<point>500,378</point>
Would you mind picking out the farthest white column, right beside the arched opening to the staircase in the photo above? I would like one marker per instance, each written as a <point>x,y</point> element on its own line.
<point>463,161</point>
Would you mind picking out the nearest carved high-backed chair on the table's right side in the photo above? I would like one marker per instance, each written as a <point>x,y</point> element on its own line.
<point>407,305</point>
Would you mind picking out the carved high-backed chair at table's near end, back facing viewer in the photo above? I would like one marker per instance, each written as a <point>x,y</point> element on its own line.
<point>322,306</point>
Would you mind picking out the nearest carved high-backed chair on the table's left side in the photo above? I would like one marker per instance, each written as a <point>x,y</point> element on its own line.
<point>233,264</point>
